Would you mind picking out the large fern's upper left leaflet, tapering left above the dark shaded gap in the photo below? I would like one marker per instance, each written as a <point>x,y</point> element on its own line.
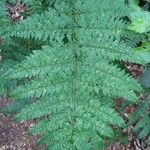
<point>45,26</point>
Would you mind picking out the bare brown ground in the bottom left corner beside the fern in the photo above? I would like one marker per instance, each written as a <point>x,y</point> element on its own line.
<point>13,135</point>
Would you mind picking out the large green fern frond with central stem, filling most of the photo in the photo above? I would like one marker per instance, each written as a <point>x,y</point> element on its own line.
<point>71,77</point>
